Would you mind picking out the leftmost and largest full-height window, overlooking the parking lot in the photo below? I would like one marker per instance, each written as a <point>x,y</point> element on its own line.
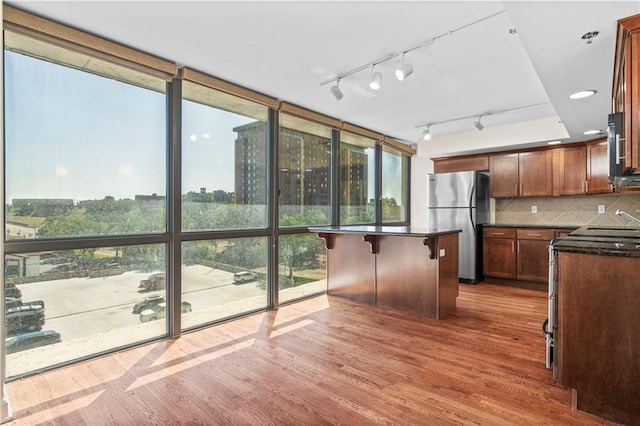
<point>85,204</point>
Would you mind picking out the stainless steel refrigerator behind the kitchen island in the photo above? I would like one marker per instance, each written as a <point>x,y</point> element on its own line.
<point>461,201</point>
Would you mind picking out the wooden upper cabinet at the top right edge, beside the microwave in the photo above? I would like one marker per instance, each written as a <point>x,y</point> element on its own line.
<point>626,85</point>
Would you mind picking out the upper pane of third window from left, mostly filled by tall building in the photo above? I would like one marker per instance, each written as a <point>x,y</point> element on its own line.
<point>305,169</point>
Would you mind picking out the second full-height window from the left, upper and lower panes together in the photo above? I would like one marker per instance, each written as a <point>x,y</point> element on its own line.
<point>224,197</point>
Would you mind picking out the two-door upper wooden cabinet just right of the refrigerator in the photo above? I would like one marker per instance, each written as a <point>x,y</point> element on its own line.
<point>523,174</point>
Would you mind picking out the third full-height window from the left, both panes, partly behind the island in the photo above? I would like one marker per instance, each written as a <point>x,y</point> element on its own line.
<point>304,183</point>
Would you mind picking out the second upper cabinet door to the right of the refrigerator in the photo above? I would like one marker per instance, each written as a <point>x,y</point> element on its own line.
<point>535,172</point>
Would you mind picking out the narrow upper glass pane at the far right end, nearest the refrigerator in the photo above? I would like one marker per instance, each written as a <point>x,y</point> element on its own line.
<point>394,187</point>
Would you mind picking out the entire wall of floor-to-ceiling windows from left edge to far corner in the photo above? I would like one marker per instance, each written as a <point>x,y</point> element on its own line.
<point>119,228</point>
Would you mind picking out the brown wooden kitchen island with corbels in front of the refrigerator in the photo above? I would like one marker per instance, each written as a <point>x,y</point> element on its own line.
<point>399,267</point>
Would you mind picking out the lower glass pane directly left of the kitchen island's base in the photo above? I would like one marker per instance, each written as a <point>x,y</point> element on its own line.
<point>301,266</point>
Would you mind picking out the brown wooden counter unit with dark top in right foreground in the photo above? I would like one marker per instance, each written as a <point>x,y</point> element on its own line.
<point>596,343</point>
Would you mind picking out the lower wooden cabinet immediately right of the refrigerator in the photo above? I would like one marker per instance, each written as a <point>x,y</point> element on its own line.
<point>499,252</point>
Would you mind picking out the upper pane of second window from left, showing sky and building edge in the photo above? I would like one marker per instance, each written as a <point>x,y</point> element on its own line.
<point>224,161</point>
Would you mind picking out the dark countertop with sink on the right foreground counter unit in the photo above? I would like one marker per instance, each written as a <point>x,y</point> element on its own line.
<point>601,240</point>
